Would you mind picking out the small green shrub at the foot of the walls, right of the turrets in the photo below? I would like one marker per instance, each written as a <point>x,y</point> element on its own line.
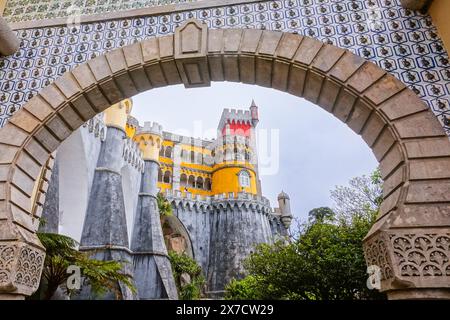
<point>183,264</point>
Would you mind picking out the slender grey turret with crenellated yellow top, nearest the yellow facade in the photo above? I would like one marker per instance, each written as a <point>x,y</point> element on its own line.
<point>152,269</point>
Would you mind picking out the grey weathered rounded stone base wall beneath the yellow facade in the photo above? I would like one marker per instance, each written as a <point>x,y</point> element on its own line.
<point>223,236</point>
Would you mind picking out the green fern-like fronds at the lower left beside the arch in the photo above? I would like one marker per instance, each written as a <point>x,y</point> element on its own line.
<point>61,253</point>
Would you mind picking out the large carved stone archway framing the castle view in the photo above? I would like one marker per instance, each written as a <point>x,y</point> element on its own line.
<point>410,241</point>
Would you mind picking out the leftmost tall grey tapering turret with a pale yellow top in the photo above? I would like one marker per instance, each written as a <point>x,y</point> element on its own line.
<point>105,226</point>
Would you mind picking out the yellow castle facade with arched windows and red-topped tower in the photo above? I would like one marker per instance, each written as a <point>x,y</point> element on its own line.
<point>205,168</point>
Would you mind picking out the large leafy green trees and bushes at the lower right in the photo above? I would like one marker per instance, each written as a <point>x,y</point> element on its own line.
<point>326,259</point>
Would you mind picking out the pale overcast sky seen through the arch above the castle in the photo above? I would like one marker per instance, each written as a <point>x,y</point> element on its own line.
<point>309,153</point>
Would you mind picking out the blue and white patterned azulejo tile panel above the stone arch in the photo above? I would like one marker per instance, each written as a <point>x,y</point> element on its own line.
<point>403,42</point>
